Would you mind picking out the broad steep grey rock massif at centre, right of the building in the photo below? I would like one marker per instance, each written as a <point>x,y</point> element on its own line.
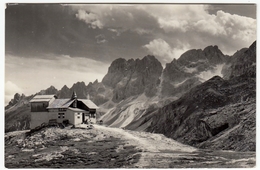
<point>133,77</point>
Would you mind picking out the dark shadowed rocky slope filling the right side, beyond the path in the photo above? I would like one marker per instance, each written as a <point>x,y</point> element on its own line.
<point>218,114</point>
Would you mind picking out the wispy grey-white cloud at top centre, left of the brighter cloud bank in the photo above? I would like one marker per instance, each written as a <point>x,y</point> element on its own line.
<point>117,17</point>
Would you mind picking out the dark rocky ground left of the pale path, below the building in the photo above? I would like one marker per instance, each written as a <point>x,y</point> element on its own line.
<point>67,148</point>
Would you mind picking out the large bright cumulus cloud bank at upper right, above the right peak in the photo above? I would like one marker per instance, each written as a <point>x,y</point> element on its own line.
<point>184,18</point>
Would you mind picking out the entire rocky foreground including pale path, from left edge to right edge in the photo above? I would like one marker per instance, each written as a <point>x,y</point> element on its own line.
<point>104,147</point>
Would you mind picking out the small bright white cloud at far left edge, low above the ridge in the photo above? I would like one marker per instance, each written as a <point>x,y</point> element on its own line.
<point>10,90</point>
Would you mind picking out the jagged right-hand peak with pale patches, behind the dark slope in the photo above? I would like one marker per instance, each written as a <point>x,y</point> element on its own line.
<point>191,68</point>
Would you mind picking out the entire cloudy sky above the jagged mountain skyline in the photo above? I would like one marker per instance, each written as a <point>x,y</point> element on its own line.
<point>61,44</point>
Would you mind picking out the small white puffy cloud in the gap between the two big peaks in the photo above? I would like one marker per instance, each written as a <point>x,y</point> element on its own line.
<point>162,49</point>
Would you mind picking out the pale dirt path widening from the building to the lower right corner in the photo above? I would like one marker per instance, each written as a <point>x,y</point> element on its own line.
<point>161,152</point>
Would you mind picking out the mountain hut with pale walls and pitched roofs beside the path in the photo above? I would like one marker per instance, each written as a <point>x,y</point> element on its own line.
<point>48,107</point>
